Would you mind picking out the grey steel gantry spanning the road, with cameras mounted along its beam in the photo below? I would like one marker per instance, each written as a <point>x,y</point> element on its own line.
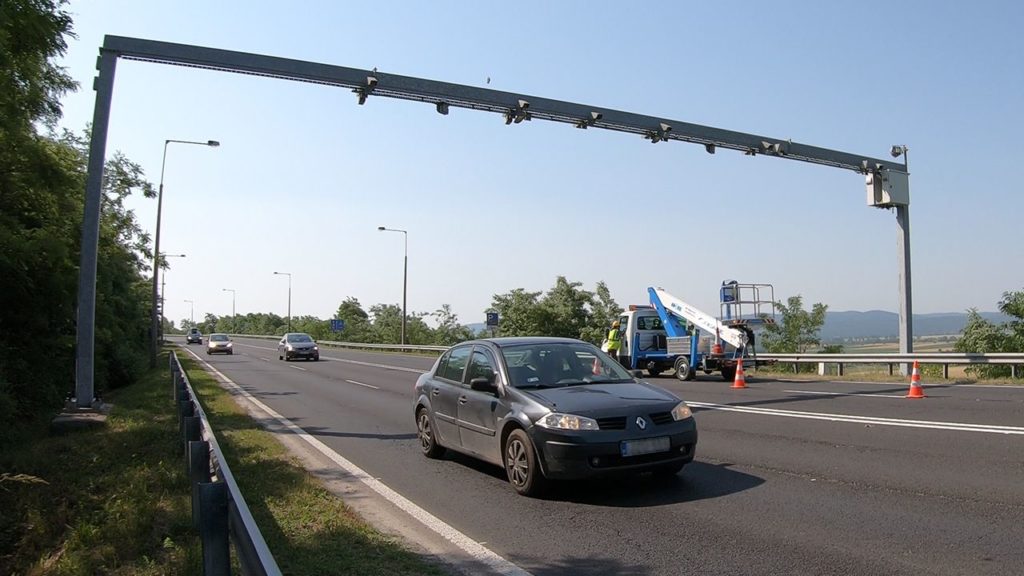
<point>515,108</point>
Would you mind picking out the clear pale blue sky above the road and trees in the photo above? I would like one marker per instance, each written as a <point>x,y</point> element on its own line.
<point>305,177</point>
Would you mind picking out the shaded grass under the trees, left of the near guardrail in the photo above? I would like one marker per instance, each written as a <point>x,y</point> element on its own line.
<point>108,501</point>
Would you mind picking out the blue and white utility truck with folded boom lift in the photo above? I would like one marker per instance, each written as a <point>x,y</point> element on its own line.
<point>671,335</point>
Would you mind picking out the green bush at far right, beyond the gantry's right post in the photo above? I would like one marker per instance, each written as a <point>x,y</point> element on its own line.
<point>983,337</point>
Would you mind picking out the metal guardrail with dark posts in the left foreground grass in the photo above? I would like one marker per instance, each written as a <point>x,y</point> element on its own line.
<point>220,512</point>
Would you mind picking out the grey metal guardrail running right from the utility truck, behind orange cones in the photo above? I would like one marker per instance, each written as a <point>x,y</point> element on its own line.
<point>1014,360</point>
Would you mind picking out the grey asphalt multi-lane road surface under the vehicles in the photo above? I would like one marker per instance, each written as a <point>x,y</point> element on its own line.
<point>791,477</point>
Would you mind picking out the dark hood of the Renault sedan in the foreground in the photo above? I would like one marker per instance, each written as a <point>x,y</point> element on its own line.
<point>596,398</point>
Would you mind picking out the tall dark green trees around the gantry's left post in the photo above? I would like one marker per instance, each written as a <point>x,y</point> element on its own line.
<point>42,180</point>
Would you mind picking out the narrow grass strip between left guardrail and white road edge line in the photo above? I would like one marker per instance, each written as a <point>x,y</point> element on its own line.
<point>308,529</point>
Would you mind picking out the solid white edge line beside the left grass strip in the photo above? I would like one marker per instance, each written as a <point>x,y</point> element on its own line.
<point>467,545</point>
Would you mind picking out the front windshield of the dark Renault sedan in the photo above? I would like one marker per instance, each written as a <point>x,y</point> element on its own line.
<point>561,364</point>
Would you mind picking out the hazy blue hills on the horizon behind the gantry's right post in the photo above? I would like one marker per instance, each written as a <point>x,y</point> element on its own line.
<point>878,324</point>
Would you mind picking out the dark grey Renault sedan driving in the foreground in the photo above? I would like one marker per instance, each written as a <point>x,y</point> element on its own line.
<point>550,408</point>
